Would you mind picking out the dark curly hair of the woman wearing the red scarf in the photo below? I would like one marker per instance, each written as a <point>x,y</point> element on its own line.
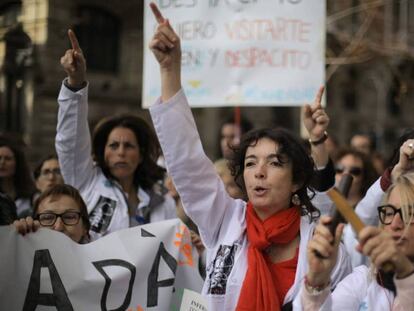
<point>289,146</point>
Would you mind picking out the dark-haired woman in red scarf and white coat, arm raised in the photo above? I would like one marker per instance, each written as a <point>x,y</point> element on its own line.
<point>256,250</point>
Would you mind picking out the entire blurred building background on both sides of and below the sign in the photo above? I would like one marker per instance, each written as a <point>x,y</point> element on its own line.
<point>370,71</point>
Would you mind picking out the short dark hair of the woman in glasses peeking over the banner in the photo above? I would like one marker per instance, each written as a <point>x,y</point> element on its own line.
<point>63,189</point>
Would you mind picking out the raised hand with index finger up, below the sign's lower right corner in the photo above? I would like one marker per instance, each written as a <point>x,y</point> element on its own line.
<point>315,118</point>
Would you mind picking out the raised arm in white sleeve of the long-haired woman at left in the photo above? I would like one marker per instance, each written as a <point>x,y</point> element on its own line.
<point>73,143</point>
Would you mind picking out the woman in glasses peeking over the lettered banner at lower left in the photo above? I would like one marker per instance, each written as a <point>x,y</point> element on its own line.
<point>60,208</point>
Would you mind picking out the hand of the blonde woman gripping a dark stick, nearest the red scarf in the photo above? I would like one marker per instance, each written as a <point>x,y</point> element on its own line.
<point>325,244</point>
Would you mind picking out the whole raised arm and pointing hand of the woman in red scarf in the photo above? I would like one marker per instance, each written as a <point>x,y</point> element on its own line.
<point>202,192</point>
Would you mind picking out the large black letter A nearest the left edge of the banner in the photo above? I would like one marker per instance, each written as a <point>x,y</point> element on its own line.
<point>34,298</point>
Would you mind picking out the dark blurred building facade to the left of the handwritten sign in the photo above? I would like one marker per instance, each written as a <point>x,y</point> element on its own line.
<point>110,33</point>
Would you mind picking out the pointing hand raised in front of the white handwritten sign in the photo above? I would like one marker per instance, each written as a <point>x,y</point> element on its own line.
<point>165,43</point>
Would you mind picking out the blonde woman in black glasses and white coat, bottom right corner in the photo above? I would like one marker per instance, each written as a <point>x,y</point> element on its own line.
<point>368,288</point>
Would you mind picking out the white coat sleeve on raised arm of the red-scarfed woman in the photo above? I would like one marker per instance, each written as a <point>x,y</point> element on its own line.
<point>202,192</point>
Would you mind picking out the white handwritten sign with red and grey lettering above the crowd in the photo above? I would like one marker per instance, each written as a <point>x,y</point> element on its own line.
<point>242,52</point>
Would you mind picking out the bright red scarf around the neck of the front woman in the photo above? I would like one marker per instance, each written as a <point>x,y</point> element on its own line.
<point>259,291</point>
